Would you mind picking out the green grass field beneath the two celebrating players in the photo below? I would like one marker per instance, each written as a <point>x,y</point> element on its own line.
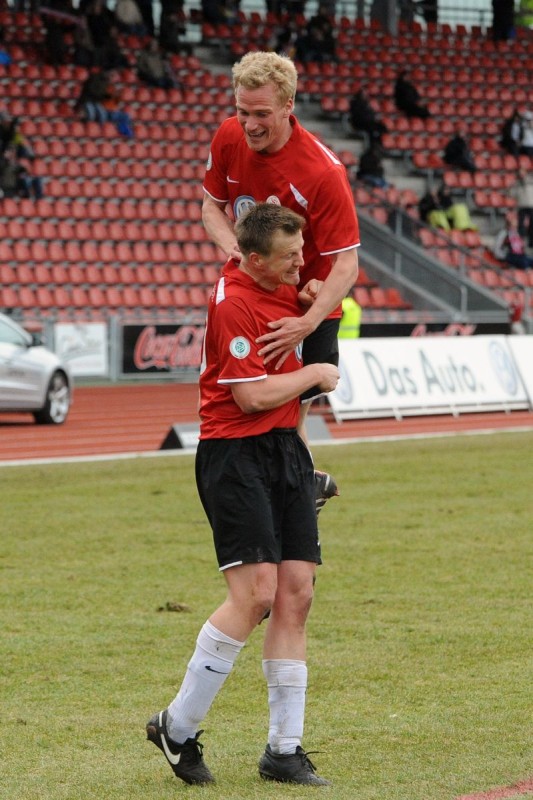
<point>420,637</point>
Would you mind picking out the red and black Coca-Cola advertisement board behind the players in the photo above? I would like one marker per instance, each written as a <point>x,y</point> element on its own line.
<point>161,348</point>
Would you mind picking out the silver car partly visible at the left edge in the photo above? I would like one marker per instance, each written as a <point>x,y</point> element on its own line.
<point>32,378</point>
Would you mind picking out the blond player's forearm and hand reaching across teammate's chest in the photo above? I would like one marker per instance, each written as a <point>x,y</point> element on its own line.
<point>288,332</point>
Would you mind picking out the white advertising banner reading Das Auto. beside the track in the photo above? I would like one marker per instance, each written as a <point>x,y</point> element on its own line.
<point>427,375</point>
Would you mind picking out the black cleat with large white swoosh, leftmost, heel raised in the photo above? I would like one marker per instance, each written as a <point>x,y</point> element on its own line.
<point>185,759</point>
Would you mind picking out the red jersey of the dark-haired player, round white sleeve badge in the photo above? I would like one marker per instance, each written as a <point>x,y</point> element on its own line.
<point>238,312</point>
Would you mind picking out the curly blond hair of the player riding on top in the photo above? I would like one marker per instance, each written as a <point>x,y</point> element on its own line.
<point>257,69</point>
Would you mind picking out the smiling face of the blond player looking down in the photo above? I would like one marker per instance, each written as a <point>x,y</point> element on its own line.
<point>264,120</point>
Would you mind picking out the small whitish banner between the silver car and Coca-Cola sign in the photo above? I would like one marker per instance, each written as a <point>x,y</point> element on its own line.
<point>83,347</point>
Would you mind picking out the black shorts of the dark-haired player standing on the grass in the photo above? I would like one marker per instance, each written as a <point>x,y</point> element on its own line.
<point>259,496</point>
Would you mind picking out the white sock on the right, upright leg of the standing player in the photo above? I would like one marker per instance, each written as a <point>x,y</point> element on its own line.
<point>287,685</point>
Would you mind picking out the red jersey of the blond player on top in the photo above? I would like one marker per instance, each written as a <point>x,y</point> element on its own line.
<point>304,175</point>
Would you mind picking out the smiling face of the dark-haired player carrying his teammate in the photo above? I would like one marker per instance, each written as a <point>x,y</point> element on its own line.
<point>282,265</point>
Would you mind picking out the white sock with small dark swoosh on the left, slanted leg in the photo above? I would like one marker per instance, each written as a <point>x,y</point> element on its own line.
<point>207,670</point>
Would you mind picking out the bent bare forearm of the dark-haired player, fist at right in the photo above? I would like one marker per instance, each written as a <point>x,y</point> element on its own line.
<point>276,390</point>
